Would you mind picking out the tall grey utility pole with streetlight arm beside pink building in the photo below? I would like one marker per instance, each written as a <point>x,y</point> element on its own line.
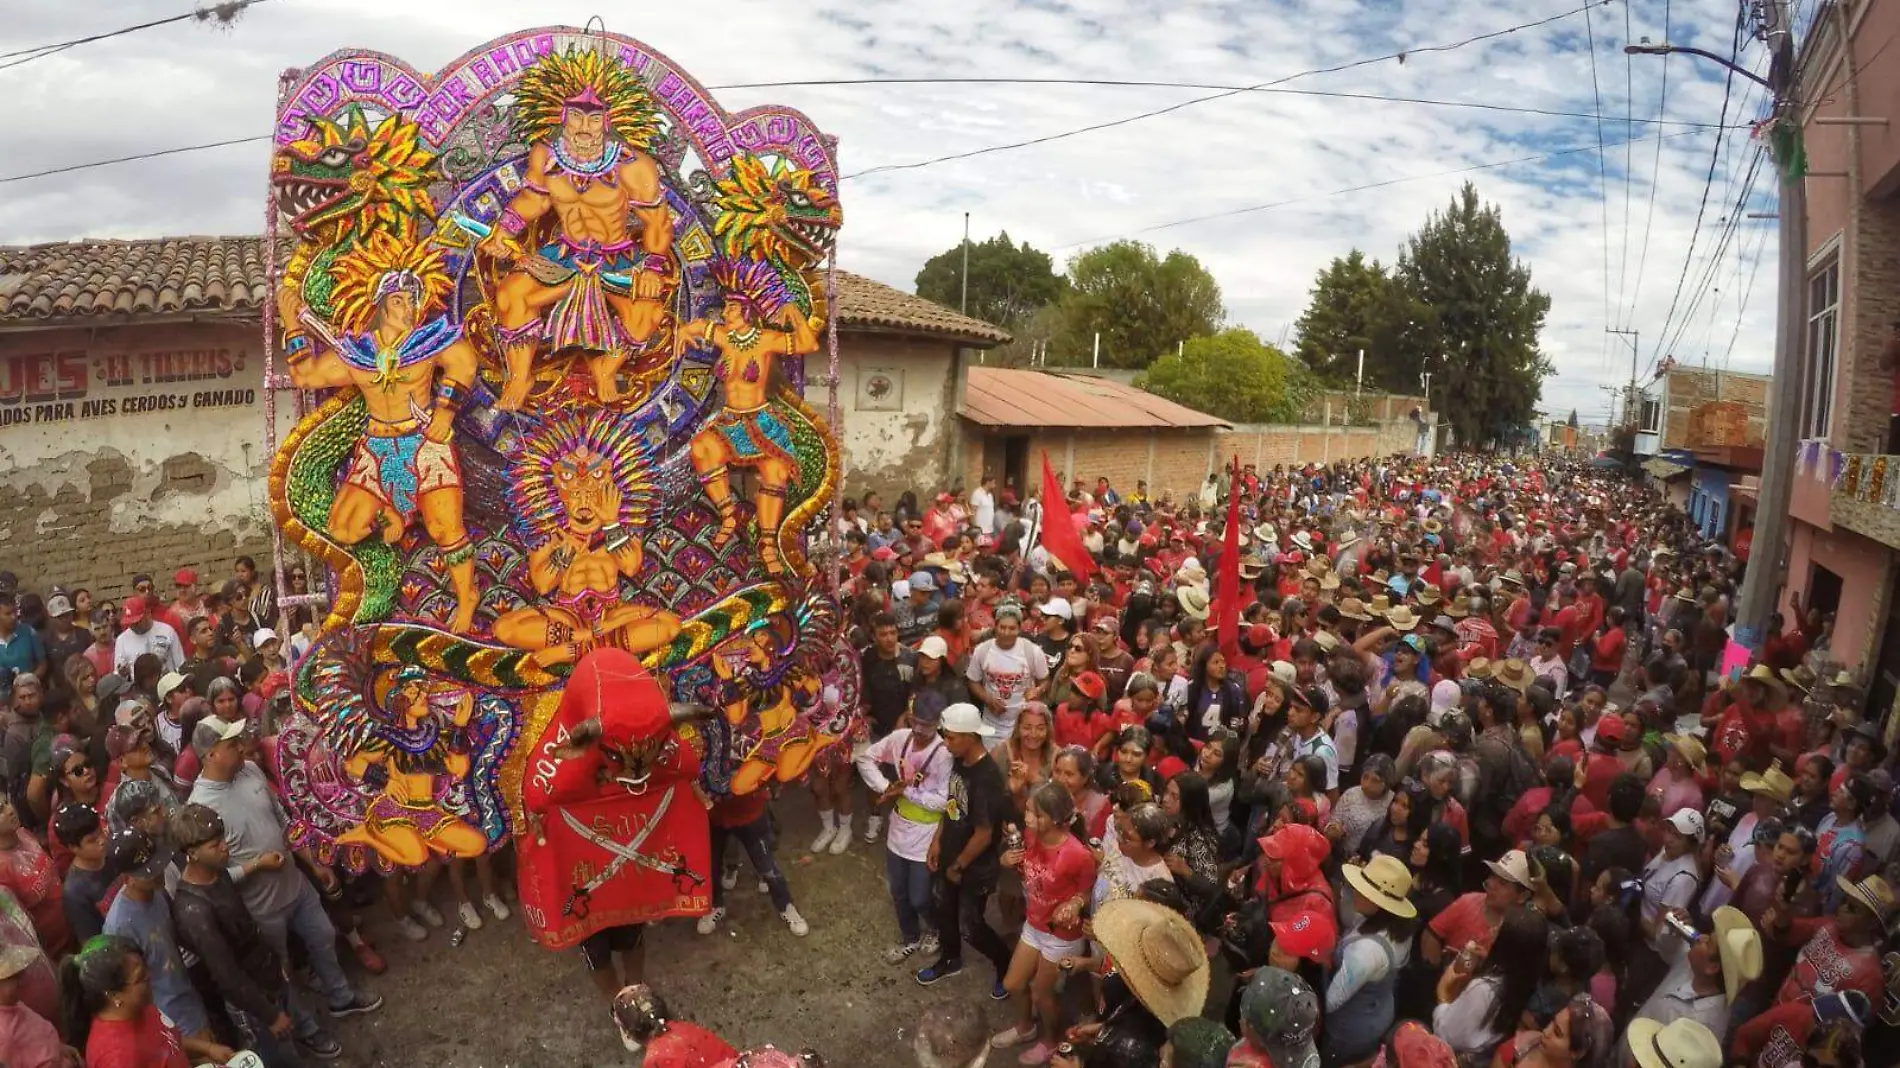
<point>1762,582</point>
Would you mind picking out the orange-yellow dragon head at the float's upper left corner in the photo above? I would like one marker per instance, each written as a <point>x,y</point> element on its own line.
<point>349,180</point>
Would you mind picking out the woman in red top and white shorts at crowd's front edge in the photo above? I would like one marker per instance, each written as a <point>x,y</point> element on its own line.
<point>1057,877</point>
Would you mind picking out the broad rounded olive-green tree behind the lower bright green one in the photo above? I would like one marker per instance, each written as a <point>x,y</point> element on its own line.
<point>1141,303</point>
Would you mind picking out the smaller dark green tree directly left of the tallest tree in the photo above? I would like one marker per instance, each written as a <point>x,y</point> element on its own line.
<point>1358,307</point>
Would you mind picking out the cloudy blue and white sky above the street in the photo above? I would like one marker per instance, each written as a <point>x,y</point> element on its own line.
<point>1605,233</point>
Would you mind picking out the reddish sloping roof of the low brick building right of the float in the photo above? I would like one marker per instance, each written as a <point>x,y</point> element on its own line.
<point>1000,396</point>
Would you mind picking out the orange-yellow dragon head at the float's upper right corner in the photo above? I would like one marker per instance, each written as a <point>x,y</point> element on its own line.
<point>774,212</point>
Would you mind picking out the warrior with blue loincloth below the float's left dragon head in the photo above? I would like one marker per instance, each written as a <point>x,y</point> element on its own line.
<point>413,368</point>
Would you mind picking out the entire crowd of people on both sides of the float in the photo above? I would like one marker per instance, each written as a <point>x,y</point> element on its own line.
<point>1451,776</point>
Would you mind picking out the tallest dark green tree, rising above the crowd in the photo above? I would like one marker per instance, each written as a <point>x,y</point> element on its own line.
<point>1477,320</point>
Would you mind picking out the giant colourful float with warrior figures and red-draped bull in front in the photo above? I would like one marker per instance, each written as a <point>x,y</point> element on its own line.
<point>548,316</point>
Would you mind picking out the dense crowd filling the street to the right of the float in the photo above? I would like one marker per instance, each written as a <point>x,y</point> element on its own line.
<point>1454,774</point>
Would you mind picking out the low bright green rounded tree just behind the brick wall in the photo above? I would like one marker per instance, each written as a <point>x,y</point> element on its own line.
<point>1232,375</point>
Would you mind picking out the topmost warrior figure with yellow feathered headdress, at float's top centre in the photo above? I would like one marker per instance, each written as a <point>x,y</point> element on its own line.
<point>599,282</point>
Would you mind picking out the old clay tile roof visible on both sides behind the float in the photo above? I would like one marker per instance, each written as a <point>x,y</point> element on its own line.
<point>180,277</point>
